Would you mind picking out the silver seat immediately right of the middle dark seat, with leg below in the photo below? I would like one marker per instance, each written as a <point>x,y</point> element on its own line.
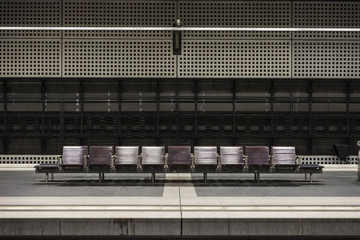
<point>206,159</point>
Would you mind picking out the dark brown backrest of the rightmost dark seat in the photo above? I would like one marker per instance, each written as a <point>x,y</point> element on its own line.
<point>257,155</point>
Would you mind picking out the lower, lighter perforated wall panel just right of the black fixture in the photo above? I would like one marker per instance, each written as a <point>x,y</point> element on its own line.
<point>242,59</point>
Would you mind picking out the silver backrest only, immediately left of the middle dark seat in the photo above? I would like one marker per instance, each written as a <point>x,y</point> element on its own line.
<point>153,155</point>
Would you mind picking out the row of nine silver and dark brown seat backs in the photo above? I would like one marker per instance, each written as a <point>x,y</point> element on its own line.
<point>250,156</point>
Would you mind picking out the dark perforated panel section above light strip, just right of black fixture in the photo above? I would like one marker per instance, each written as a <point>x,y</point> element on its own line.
<point>235,13</point>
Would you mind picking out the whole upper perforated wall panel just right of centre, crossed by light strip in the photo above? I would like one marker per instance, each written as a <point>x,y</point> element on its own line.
<point>235,13</point>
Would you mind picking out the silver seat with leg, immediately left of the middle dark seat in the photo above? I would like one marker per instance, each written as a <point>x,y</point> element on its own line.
<point>152,160</point>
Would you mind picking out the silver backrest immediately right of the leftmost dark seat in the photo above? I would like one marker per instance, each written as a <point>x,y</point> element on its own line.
<point>126,155</point>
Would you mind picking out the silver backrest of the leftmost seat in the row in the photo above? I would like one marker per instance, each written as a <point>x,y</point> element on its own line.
<point>74,155</point>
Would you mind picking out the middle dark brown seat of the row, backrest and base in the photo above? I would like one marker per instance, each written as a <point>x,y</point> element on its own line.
<point>178,158</point>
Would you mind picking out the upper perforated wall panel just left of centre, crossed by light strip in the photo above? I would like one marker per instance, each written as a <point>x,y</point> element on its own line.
<point>119,13</point>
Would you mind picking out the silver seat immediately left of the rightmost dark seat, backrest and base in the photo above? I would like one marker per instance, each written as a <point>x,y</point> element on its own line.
<point>231,159</point>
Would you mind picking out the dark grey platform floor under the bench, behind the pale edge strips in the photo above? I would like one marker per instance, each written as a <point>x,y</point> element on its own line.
<point>335,183</point>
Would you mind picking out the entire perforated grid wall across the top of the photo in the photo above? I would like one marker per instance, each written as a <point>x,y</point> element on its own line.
<point>204,53</point>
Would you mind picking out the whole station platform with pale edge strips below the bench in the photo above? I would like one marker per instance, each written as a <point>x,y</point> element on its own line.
<point>180,205</point>
